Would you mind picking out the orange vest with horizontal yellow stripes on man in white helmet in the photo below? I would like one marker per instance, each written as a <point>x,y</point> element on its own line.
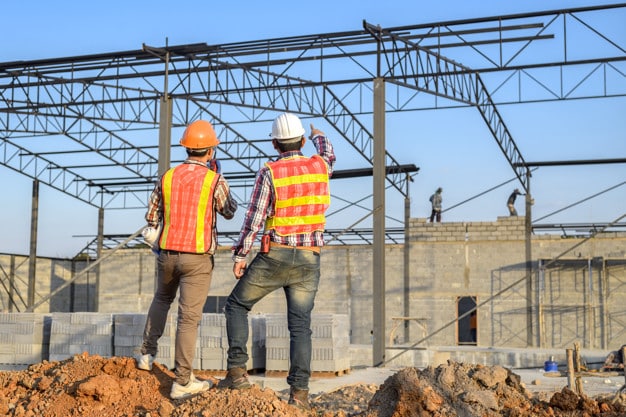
<point>302,195</point>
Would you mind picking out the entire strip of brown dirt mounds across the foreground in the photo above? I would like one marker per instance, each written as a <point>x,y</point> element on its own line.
<point>91,386</point>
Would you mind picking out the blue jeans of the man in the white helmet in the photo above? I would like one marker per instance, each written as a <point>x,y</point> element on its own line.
<point>297,272</point>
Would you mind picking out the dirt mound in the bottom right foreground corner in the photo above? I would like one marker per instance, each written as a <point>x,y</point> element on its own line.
<point>463,390</point>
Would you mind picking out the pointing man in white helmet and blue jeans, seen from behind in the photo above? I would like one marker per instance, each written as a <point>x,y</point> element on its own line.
<point>288,202</point>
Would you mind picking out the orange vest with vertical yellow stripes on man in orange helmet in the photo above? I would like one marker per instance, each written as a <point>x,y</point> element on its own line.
<point>188,215</point>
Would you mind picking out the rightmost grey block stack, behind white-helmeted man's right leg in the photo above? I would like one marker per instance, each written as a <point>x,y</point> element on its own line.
<point>330,343</point>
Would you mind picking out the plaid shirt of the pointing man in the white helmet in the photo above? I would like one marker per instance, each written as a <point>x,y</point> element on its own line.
<point>262,206</point>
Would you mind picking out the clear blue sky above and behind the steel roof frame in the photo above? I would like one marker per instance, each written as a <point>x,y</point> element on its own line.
<point>452,147</point>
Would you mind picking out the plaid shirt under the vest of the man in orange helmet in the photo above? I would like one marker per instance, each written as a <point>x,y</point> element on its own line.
<point>223,203</point>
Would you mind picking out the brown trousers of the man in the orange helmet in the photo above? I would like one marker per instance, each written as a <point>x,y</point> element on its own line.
<point>191,274</point>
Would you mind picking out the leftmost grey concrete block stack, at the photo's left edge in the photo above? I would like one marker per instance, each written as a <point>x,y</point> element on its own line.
<point>22,337</point>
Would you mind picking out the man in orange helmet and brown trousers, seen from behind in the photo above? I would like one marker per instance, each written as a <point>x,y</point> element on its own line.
<point>183,206</point>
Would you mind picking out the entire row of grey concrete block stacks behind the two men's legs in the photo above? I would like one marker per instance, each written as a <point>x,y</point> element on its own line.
<point>27,338</point>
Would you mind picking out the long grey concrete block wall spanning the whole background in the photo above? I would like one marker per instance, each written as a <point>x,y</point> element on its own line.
<point>576,287</point>
